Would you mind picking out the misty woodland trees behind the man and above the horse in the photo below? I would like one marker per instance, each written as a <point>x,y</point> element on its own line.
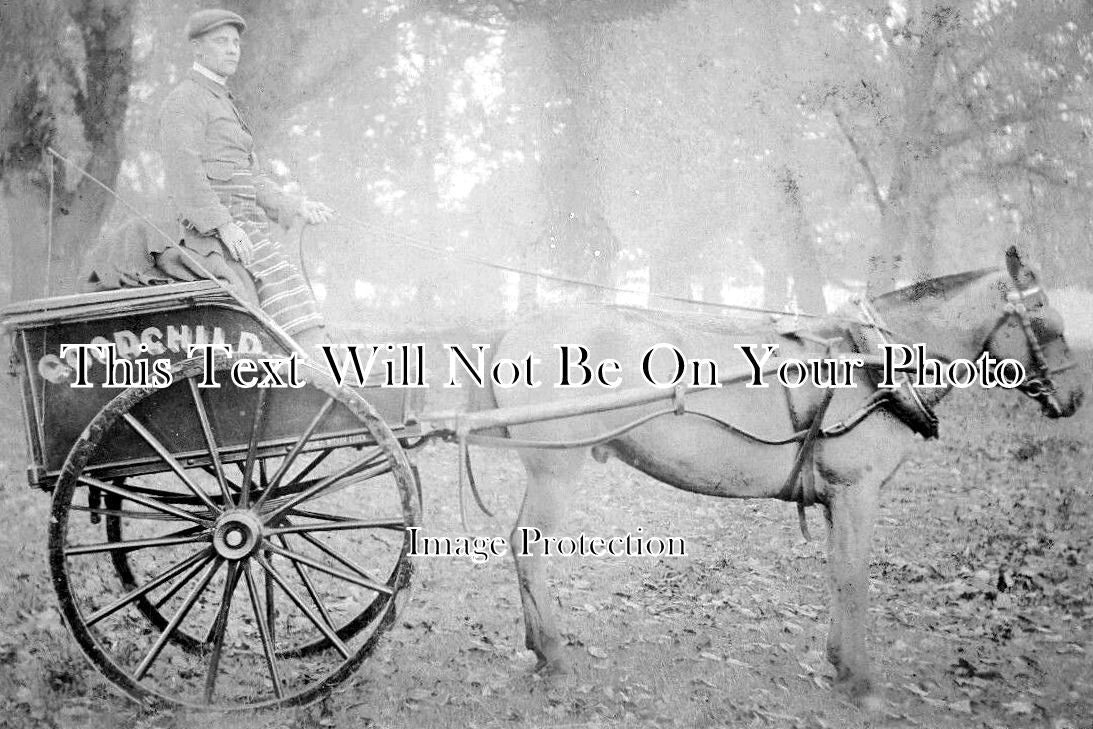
<point>730,150</point>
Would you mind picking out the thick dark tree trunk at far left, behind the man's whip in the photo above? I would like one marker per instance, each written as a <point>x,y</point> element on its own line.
<point>44,264</point>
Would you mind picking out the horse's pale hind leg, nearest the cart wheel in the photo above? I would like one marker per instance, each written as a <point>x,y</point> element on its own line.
<point>549,475</point>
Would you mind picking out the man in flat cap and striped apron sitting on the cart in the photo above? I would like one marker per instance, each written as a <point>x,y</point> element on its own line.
<point>222,199</point>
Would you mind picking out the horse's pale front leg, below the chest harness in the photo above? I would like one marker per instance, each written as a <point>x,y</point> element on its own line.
<point>851,512</point>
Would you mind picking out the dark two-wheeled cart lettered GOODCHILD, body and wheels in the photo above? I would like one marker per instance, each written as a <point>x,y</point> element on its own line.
<point>229,547</point>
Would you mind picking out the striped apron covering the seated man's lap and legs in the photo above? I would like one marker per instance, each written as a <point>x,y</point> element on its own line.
<point>283,292</point>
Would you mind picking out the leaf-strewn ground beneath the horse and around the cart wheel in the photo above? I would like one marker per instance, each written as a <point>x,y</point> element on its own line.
<point>983,603</point>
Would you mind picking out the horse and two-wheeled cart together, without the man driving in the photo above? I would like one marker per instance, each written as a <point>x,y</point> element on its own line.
<point>245,545</point>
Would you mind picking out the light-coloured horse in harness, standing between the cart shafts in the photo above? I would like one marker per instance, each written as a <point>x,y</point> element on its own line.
<point>1002,312</point>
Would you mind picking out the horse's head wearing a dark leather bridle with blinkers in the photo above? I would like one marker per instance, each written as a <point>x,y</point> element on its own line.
<point>1030,332</point>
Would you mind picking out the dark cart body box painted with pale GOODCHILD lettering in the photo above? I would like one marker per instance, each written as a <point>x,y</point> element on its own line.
<point>146,325</point>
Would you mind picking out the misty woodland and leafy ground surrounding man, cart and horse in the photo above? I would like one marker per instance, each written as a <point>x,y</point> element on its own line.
<point>747,151</point>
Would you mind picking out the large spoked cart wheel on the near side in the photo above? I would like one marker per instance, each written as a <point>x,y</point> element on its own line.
<point>258,573</point>
